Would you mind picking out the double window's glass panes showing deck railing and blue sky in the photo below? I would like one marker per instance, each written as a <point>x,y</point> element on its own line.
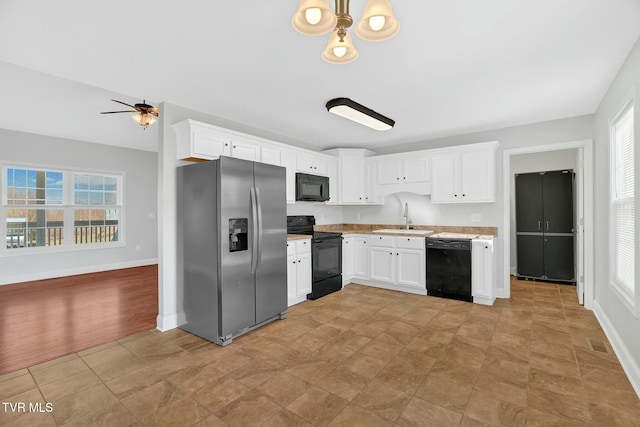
<point>59,208</point>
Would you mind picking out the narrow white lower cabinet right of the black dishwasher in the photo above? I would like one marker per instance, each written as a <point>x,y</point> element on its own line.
<point>483,271</point>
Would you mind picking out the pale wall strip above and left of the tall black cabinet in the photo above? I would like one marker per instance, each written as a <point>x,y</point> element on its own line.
<point>535,162</point>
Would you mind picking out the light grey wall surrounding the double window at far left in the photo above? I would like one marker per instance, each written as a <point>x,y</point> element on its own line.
<point>140,200</point>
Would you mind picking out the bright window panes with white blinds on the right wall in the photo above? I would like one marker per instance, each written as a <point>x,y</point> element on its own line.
<point>623,204</point>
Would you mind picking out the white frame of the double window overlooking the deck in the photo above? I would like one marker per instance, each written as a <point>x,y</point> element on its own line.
<point>68,205</point>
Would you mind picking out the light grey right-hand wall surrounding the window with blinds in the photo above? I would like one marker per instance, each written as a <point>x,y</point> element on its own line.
<point>621,326</point>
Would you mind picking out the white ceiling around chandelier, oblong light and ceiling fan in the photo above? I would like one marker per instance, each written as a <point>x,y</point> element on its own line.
<point>454,67</point>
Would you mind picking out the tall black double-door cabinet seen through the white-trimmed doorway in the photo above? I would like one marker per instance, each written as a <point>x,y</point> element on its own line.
<point>544,225</point>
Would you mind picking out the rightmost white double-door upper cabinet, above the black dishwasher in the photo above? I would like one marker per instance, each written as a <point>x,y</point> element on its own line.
<point>464,174</point>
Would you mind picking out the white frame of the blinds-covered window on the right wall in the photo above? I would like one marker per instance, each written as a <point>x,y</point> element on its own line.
<point>629,297</point>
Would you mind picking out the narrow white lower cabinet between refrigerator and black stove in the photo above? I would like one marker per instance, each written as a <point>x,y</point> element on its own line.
<point>298,270</point>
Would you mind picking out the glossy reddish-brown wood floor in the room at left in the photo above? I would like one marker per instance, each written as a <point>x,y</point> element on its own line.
<point>46,319</point>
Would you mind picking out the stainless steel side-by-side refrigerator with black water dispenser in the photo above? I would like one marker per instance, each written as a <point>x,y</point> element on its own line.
<point>232,245</point>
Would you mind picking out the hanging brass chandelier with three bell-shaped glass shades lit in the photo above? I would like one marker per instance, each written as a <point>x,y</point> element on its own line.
<point>314,18</point>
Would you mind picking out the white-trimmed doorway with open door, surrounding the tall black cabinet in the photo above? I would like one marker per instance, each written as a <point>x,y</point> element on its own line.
<point>582,152</point>
